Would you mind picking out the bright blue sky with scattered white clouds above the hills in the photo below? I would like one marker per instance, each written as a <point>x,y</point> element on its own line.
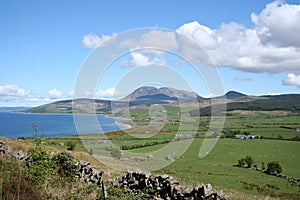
<point>254,46</point>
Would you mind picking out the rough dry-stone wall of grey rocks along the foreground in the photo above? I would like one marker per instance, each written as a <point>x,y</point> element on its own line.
<point>151,185</point>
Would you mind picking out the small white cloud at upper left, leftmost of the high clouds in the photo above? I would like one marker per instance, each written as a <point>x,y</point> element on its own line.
<point>92,40</point>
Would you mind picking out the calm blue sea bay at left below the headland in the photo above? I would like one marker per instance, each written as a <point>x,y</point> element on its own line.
<point>14,125</point>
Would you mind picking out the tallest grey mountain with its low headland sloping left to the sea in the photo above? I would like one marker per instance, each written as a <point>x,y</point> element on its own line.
<point>143,96</point>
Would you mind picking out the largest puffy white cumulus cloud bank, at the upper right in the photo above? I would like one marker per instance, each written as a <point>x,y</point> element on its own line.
<point>270,46</point>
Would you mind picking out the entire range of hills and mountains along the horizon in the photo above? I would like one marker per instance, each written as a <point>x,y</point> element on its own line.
<point>146,96</point>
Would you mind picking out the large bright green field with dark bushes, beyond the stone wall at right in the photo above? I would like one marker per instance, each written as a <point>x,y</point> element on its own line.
<point>217,168</point>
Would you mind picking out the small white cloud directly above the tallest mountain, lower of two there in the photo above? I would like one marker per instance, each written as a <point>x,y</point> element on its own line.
<point>142,59</point>
